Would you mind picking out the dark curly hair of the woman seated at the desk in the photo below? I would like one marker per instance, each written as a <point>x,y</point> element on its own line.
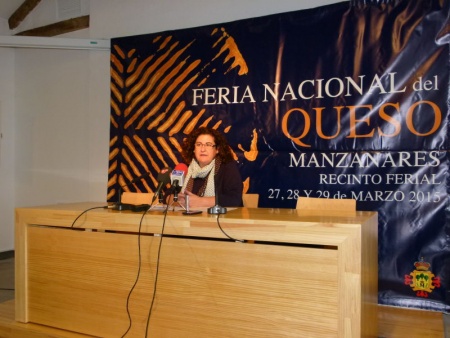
<point>221,142</point>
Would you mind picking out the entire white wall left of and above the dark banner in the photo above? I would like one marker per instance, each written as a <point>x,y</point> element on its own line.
<point>54,104</point>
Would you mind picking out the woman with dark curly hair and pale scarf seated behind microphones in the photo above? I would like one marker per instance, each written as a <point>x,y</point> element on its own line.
<point>212,169</point>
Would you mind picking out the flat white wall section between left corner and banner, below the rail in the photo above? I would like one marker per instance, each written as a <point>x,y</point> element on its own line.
<point>62,121</point>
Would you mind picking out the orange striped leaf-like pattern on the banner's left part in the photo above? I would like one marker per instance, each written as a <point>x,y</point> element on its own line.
<point>149,115</point>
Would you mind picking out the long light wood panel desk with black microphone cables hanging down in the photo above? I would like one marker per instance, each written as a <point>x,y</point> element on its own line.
<point>292,273</point>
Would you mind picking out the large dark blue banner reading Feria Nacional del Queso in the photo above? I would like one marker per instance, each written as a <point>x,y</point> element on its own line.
<point>349,100</point>
